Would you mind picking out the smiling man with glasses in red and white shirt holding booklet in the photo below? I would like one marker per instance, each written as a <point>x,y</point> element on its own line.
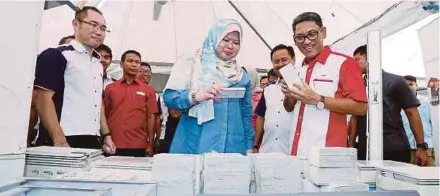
<point>331,88</point>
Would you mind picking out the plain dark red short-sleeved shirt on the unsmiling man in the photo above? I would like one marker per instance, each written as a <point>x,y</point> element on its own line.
<point>126,108</point>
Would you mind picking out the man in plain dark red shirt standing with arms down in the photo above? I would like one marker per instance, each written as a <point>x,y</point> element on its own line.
<point>130,105</point>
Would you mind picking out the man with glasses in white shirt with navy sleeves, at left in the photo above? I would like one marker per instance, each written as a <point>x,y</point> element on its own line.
<point>69,86</point>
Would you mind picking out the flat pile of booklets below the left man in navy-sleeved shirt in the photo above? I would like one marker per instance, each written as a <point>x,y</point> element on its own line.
<point>54,162</point>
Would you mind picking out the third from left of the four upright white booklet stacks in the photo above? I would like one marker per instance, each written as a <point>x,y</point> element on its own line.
<point>277,173</point>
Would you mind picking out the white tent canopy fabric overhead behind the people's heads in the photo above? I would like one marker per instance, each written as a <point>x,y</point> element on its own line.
<point>183,25</point>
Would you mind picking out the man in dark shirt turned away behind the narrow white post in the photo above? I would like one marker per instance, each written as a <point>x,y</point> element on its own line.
<point>396,97</point>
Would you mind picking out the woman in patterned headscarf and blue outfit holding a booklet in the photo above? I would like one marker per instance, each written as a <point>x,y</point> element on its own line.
<point>209,124</point>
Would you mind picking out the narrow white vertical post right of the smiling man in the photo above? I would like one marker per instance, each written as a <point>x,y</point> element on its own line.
<point>375,119</point>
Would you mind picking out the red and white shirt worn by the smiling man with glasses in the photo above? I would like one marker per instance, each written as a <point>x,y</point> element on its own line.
<point>333,75</point>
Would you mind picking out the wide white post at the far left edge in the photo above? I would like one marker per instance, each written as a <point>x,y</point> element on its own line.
<point>18,51</point>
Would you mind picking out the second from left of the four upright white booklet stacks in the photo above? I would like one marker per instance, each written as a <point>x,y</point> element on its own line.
<point>226,173</point>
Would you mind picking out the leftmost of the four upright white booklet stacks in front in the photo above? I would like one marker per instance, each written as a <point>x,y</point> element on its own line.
<point>177,174</point>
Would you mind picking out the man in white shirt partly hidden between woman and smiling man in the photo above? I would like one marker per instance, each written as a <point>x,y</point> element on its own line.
<point>278,123</point>
